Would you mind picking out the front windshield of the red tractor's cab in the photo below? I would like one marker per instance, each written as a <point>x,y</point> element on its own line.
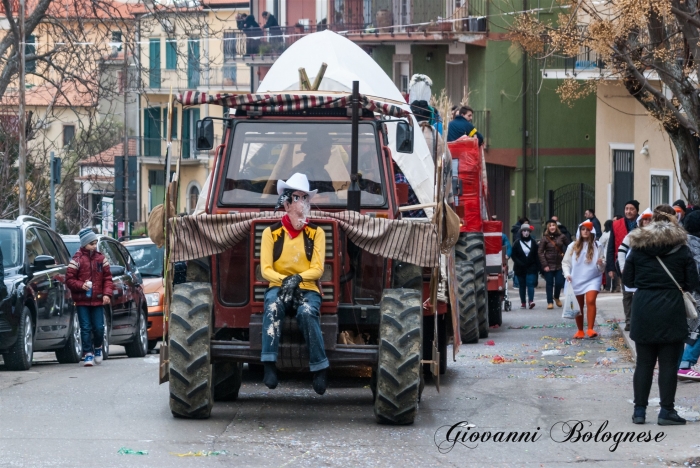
<point>265,152</point>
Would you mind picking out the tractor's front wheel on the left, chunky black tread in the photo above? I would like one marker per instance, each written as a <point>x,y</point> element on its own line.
<point>190,329</point>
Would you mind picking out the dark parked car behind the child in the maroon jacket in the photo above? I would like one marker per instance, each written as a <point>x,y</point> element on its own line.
<point>127,316</point>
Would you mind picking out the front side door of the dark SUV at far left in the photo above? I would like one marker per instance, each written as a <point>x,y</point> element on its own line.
<point>40,284</point>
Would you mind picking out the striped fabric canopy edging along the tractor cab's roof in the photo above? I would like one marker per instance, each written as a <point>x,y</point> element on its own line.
<point>287,102</point>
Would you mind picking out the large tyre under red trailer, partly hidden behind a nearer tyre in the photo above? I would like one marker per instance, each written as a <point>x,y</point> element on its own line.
<point>470,247</point>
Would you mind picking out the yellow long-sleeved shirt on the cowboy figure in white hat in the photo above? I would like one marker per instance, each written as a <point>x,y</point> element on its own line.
<point>293,258</point>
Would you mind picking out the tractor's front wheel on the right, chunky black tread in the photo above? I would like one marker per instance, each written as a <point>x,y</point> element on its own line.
<point>398,375</point>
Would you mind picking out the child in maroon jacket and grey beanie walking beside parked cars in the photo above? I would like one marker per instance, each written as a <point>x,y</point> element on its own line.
<point>90,281</point>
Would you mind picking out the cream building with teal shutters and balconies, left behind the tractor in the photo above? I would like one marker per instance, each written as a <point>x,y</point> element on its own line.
<point>185,52</point>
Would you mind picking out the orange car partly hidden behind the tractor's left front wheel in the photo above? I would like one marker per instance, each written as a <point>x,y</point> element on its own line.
<point>149,260</point>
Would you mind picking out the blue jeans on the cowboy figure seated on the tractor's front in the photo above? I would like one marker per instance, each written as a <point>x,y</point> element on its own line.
<point>309,322</point>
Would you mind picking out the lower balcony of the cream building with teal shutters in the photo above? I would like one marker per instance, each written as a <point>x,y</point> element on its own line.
<point>153,150</point>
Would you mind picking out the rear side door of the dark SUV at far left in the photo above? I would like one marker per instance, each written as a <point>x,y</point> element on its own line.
<point>56,303</point>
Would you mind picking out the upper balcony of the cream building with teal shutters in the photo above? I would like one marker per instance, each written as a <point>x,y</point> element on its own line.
<point>229,77</point>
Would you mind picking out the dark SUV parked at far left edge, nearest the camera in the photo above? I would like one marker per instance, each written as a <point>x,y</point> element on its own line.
<point>37,312</point>
